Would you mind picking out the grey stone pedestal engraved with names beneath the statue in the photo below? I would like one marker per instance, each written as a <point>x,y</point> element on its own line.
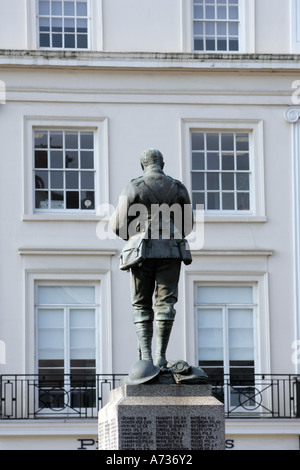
<point>162,417</point>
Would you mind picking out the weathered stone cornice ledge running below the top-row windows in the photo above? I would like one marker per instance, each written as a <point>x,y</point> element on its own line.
<point>159,60</point>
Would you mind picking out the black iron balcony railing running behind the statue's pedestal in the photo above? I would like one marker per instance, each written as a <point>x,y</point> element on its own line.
<point>33,396</point>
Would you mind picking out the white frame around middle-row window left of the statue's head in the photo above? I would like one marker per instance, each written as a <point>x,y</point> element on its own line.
<point>99,127</point>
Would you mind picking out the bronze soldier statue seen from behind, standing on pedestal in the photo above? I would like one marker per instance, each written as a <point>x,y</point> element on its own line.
<point>154,250</point>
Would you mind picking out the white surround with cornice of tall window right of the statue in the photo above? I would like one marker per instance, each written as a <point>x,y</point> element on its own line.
<point>236,272</point>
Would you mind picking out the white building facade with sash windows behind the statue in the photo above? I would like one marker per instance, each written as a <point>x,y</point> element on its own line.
<point>85,87</point>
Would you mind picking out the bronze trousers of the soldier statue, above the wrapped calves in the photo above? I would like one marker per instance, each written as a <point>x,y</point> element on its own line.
<point>159,277</point>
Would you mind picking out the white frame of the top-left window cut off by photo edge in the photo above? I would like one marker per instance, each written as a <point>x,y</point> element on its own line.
<point>95,27</point>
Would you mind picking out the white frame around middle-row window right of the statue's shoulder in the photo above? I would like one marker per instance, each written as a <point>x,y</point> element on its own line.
<point>256,153</point>
